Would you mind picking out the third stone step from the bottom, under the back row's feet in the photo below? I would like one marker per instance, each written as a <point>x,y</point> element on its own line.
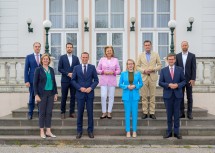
<point>118,121</point>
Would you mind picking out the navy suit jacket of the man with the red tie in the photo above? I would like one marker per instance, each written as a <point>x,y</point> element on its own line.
<point>166,79</point>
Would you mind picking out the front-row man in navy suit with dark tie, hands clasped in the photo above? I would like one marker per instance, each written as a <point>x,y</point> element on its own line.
<point>85,80</point>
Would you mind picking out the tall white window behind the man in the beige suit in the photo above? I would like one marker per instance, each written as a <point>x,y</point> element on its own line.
<point>155,15</point>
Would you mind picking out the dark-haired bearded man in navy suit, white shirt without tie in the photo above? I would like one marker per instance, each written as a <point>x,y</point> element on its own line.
<point>65,66</point>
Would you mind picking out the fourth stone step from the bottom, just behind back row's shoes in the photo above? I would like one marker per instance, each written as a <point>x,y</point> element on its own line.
<point>22,112</point>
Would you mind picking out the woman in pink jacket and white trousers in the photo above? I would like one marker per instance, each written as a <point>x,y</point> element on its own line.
<point>108,68</point>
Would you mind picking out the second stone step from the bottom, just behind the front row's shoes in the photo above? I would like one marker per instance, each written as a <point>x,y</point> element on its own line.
<point>109,131</point>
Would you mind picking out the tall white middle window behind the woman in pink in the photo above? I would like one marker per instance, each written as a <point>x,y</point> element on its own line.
<point>109,28</point>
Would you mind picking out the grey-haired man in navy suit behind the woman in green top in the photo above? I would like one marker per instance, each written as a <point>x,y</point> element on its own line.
<point>32,61</point>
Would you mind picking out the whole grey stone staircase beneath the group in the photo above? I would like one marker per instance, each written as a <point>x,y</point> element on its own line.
<point>16,129</point>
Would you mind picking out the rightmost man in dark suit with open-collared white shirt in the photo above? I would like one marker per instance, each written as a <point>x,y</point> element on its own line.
<point>187,61</point>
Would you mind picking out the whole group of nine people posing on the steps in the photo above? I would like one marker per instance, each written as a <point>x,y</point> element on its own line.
<point>81,80</point>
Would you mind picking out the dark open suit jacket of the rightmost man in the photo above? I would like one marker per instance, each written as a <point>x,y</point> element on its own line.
<point>190,66</point>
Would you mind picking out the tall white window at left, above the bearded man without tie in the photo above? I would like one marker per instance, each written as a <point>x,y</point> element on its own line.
<point>65,28</point>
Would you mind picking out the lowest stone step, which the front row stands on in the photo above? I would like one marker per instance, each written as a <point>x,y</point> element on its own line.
<point>106,140</point>
